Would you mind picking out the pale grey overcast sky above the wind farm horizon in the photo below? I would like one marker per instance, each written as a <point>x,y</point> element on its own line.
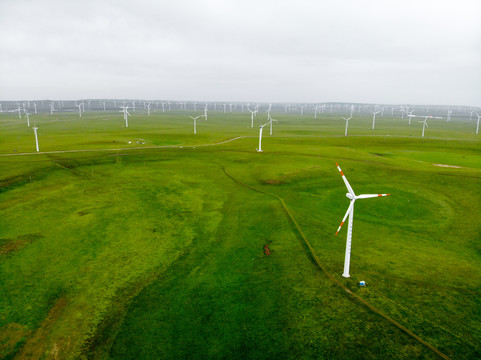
<point>405,51</point>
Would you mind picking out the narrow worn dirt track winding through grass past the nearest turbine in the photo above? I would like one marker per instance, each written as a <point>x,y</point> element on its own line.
<point>336,281</point>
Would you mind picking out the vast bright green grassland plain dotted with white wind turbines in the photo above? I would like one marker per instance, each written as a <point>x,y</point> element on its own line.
<point>153,249</point>
